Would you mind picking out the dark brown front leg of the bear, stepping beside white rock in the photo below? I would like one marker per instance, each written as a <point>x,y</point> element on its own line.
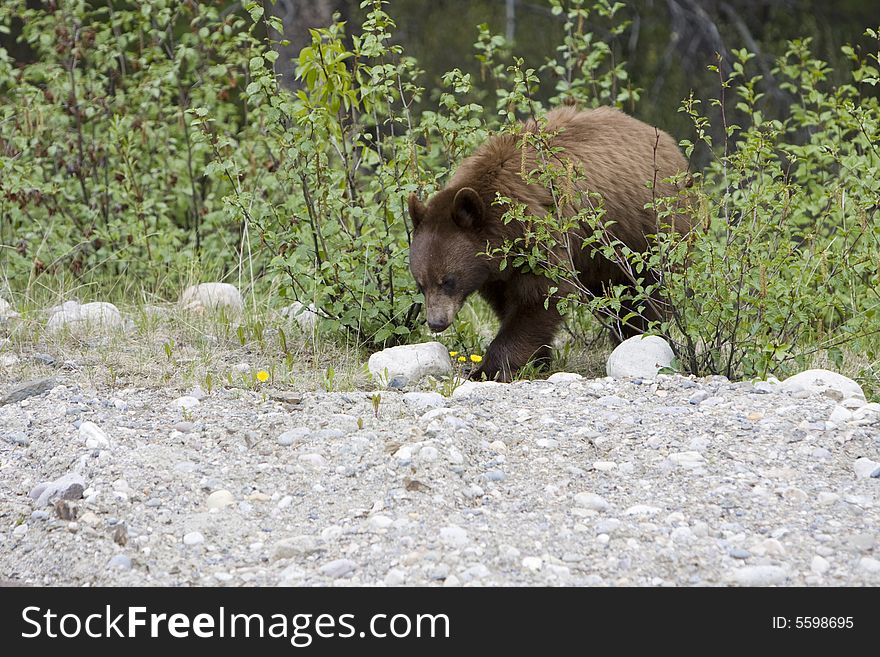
<point>525,335</point>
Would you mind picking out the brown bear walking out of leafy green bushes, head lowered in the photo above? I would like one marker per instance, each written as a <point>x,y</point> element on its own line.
<point>617,156</point>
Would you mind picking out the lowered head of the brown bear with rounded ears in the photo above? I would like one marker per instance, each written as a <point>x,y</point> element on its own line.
<point>450,234</point>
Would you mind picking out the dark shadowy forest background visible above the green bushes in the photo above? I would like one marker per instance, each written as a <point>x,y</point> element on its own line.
<point>667,47</point>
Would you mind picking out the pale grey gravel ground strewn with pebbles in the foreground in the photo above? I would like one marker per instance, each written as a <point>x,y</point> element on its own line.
<point>580,482</point>
